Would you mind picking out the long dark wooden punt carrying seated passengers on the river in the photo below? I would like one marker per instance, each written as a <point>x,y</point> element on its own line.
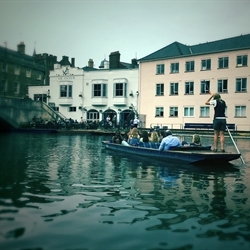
<point>190,154</point>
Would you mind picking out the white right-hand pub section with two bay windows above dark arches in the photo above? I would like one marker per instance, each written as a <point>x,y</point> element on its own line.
<point>109,92</point>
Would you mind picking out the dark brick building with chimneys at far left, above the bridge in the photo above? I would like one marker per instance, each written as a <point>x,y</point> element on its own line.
<point>18,71</point>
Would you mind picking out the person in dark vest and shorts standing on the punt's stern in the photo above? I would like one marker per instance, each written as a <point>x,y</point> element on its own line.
<point>219,122</point>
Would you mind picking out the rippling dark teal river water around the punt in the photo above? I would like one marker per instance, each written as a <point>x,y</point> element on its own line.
<point>66,192</point>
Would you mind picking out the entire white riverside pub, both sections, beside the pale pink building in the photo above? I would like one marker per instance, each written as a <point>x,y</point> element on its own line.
<point>93,94</point>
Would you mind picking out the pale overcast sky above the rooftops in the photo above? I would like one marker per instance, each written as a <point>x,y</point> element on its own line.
<point>93,29</point>
